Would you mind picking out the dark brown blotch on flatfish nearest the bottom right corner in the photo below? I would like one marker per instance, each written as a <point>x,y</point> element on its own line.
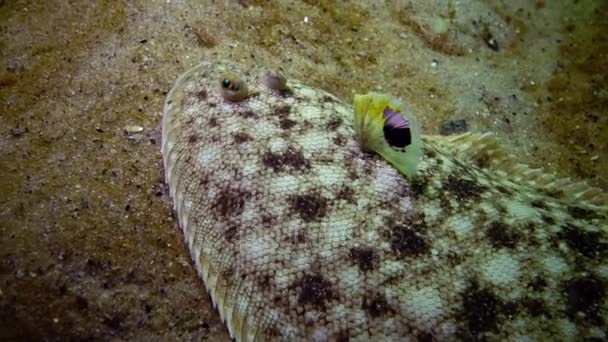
<point>584,295</point>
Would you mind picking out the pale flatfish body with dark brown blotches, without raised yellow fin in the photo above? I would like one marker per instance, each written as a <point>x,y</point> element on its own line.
<point>299,235</point>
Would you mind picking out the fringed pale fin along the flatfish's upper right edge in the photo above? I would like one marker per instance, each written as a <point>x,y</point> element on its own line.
<point>483,151</point>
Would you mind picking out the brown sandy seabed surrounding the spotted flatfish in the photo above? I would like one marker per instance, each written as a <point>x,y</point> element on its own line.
<point>89,247</point>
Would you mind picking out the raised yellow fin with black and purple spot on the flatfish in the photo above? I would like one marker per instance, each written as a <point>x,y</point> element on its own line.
<point>386,126</point>
